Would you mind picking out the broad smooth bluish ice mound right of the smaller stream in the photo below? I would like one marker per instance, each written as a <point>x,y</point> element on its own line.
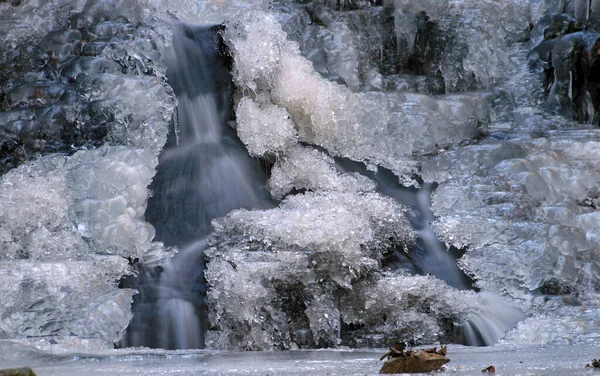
<point>524,211</point>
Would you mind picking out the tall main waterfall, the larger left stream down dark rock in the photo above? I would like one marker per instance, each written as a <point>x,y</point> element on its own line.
<point>204,172</point>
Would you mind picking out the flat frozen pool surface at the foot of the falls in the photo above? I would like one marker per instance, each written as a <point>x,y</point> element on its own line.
<point>544,360</point>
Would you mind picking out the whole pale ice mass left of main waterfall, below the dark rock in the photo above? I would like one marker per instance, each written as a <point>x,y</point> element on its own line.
<point>59,277</point>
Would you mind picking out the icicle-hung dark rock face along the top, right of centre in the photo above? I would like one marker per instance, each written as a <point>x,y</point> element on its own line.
<point>461,40</point>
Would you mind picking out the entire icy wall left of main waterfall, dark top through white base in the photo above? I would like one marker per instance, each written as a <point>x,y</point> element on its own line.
<point>76,75</point>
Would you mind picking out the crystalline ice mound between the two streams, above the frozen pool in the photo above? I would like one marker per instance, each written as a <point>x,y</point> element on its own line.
<point>292,276</point>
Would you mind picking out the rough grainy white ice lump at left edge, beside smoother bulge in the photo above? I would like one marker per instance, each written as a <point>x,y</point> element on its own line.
<point>34,218</point>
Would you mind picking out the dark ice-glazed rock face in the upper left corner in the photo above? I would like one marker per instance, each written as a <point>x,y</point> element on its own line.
<point>65,71</point>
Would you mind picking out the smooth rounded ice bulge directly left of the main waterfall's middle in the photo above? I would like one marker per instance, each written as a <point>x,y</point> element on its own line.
<point>108,194</point>
